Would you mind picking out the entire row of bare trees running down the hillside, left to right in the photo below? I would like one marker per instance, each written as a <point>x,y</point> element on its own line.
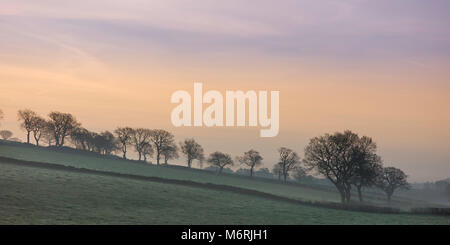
<point>345,159</point>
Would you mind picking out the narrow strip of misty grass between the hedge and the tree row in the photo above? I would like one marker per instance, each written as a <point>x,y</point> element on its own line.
<point>77,160</point>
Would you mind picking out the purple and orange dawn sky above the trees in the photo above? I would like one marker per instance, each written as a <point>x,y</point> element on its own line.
<point>378,68</point>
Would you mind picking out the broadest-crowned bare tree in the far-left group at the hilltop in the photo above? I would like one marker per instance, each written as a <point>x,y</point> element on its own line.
<point>62,125</point>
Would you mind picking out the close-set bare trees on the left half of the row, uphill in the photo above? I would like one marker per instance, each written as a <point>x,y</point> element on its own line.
<point>146,142</point>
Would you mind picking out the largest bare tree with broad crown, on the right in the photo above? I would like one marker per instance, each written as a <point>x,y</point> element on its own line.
<point>336,157</point>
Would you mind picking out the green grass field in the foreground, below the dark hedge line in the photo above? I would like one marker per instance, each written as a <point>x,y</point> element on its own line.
<point>30,195</point>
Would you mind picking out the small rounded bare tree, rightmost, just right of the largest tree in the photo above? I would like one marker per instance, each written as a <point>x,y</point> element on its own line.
<point>391,179</point>
